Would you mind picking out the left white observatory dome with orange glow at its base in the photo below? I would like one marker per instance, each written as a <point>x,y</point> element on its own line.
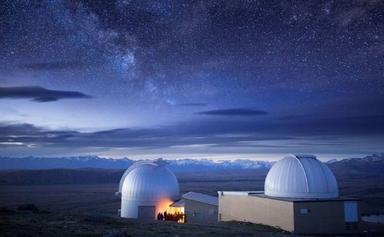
<point>147,188</point>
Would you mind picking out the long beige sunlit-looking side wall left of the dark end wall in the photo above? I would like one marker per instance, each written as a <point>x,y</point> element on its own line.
<point>257,210</point>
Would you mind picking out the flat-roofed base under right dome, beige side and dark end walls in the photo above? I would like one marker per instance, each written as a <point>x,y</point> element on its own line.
<point>324,217</point>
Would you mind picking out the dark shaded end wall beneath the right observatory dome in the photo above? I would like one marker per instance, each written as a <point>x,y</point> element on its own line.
<point>322,218</point>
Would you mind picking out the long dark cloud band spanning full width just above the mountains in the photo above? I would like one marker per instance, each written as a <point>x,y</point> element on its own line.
<point>216,133</point>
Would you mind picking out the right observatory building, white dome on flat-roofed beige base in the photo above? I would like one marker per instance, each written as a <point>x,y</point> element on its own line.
<point>300,195</point>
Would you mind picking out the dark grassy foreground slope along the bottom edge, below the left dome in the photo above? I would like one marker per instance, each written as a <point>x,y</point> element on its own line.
<point>27,223</point>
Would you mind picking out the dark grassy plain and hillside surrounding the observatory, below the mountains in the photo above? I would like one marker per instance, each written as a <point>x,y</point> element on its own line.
<point>91,209</point>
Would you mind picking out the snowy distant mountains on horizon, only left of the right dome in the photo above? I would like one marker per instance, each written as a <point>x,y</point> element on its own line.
<point>7,163</point>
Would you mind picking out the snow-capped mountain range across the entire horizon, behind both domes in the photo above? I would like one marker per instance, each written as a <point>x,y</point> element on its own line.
<point>373,162</point>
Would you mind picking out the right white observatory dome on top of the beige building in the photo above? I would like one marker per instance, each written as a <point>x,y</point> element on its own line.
<point>298,176</point>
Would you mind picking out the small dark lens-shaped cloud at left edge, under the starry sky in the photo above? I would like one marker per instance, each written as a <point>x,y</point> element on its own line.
<point>39,94</point>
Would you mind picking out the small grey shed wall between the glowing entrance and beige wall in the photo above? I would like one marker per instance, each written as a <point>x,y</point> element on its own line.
<point>198,212</point>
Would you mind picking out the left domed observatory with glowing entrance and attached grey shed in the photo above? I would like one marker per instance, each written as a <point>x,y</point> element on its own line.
<point>150,191</point>
